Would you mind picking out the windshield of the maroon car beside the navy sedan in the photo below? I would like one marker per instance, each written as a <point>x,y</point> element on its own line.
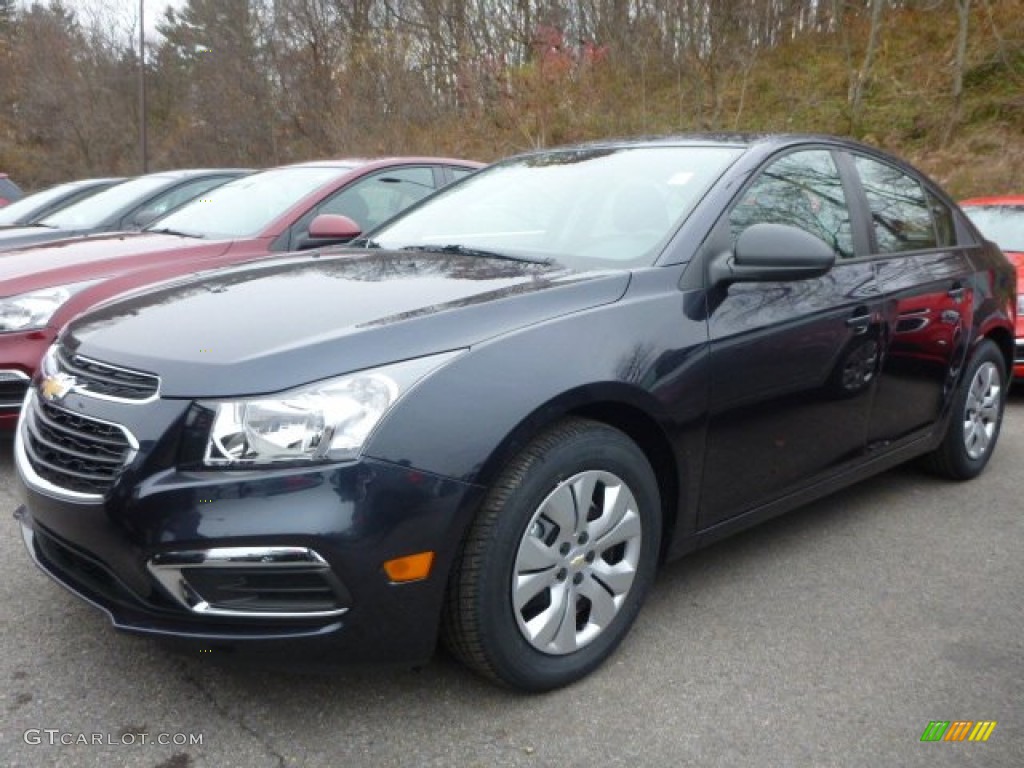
<point>246,206</point>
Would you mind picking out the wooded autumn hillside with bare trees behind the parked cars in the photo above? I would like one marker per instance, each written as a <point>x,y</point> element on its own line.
<point>260,83</point>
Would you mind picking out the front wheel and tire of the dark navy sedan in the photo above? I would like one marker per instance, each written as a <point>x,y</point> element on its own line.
<point>482,625</point>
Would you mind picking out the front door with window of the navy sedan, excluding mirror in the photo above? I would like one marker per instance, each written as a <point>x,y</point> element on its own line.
<point>794,364</point>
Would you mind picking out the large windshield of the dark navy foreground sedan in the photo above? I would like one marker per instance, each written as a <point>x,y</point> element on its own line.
<point>591,208</point>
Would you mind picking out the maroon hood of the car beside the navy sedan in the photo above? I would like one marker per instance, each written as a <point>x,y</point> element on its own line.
<point>87,259</point>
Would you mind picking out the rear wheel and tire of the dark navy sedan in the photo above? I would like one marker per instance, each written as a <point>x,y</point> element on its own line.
<point>976,418</point>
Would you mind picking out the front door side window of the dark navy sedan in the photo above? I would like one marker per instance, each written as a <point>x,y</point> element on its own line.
<point>802,190</point>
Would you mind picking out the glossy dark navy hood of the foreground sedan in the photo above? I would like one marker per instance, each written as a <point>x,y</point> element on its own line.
<point>286,322</point>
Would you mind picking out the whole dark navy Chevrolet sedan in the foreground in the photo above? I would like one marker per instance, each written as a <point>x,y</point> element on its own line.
<point>494,421</point>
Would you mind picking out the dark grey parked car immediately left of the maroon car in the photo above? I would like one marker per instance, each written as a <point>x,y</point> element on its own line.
<point>131,205</point>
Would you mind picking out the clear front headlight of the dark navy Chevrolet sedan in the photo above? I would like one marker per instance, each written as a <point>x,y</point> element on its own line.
<point>327,421</point>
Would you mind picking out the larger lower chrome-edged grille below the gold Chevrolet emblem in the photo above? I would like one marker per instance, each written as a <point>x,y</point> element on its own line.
<point>74,452</point>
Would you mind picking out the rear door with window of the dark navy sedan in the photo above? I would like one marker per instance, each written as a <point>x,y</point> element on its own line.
<point>928,301</point>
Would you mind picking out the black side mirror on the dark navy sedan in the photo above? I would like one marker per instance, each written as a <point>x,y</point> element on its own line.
<point>770,253</point>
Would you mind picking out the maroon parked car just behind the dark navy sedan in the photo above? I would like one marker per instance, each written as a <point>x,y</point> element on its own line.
<point>284,209</point>
